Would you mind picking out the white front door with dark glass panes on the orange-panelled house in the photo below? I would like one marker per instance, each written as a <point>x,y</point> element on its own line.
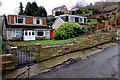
<point>29,35</point>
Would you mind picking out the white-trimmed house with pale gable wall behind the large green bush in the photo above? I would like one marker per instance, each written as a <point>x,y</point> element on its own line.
<point>69,18</point>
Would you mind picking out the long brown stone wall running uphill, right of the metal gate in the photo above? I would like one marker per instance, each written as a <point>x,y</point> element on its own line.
<point>85,42</point>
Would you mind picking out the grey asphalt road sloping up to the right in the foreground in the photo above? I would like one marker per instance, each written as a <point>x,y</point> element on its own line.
<point>101,65</point>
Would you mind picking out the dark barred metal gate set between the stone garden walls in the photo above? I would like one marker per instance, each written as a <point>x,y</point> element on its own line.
<point>24,56</point>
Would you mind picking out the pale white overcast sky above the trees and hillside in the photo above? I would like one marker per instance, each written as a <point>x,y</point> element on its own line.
<point>12,6</point>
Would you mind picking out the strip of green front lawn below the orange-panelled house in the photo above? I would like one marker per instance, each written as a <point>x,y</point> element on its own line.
<point>43,42</point>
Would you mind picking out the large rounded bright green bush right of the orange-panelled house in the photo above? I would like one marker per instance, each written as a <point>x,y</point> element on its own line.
<point>67,30</point>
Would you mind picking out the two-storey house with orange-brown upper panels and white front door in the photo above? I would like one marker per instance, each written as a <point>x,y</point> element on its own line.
<point>18,27</point>
